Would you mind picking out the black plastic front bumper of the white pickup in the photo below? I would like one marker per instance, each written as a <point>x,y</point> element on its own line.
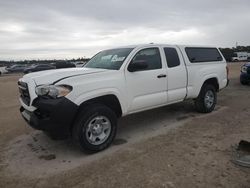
<point>54,116</point>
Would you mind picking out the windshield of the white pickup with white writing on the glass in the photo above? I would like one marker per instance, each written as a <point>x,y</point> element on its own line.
<point>109,59</point>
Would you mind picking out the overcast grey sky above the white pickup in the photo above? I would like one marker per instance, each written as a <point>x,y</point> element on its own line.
<point>45,29</point>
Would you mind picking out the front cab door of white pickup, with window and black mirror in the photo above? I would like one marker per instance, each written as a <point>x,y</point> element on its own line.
<point>147,82</point>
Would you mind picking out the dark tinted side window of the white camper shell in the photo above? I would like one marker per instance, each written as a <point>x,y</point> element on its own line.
<point>199,55</point>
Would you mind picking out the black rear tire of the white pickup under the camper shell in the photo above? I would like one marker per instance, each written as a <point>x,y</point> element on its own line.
<point>200,103</point>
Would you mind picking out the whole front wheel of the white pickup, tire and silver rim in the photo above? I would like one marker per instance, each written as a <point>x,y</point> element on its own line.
<point>95,128</point>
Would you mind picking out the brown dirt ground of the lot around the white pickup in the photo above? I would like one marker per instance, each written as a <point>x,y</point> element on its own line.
<point>173,146</point>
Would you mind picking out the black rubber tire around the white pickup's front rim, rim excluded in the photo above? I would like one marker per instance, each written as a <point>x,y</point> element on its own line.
<point>84,118</point>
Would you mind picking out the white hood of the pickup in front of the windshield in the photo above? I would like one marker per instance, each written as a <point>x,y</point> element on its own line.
<point>55,75</point>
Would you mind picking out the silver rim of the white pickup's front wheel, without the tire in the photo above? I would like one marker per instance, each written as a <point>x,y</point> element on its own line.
<point>98,130</point>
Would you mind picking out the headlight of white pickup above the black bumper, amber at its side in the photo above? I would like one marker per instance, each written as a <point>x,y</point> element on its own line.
<point>54,91</point>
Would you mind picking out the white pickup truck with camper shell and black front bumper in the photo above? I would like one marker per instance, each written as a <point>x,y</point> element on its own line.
<point>86,102</point>
